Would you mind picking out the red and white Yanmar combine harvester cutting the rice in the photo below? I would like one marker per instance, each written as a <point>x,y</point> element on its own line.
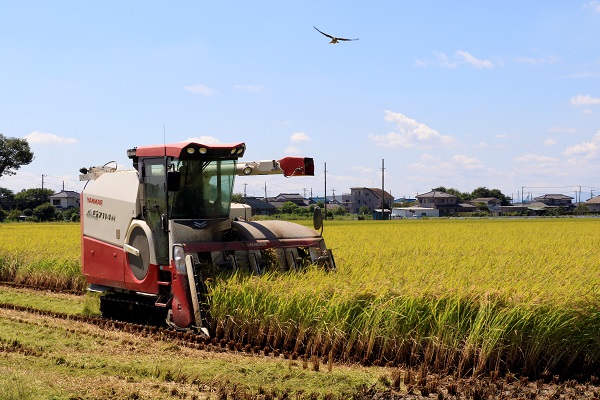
<point>152,235</point>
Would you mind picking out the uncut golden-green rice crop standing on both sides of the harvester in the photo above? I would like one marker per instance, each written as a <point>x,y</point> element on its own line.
<point>466,297</point>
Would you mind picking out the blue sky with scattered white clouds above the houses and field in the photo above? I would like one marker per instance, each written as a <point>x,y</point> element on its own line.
<point>458,94</point>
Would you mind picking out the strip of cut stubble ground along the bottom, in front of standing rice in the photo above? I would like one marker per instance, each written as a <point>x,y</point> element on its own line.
<point>57,355</point>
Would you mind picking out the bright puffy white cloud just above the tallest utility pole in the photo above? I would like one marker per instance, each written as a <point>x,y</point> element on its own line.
<point>410,133</point>
